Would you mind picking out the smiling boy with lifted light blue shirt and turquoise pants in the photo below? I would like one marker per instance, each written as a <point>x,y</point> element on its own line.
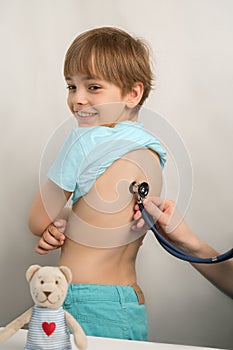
<point>108,78</point>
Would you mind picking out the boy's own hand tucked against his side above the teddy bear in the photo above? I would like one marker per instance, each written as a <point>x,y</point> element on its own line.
<point>53,237</point>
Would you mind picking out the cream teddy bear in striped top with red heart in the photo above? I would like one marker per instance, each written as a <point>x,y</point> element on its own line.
<point>48,322</point>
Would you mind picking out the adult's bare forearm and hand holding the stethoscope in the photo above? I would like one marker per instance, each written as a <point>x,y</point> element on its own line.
<point>174,228</point>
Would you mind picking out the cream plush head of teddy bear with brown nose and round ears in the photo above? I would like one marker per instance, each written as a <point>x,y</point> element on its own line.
<point>48,285</point>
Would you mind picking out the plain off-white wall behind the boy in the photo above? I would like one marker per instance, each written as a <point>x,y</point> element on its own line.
<point>192,44</point>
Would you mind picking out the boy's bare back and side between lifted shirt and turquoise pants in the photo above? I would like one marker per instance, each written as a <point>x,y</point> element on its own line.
<point>110,206</point>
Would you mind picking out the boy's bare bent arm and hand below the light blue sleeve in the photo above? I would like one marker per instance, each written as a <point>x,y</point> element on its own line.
<point>47,216</point>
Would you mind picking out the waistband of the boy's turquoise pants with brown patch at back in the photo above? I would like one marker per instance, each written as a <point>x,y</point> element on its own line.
<point>102,292</point>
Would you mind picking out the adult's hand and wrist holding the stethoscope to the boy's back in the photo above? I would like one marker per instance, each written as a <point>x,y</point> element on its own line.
<point>168,221</point>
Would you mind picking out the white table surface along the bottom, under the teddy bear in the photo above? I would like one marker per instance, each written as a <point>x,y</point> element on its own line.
<point>17,342</point>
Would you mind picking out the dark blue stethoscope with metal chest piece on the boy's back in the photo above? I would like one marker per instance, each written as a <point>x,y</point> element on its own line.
<point>143,190</point>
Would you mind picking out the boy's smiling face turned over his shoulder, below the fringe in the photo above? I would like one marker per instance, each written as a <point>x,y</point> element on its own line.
<point>96,102</point>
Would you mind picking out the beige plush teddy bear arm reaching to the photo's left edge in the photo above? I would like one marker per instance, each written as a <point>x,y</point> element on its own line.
<point>15,325</point>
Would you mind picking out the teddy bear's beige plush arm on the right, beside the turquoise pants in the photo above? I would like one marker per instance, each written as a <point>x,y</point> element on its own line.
<point>80,338</point>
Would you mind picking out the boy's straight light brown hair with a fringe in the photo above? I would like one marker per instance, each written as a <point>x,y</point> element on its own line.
<point>113,55</point>
